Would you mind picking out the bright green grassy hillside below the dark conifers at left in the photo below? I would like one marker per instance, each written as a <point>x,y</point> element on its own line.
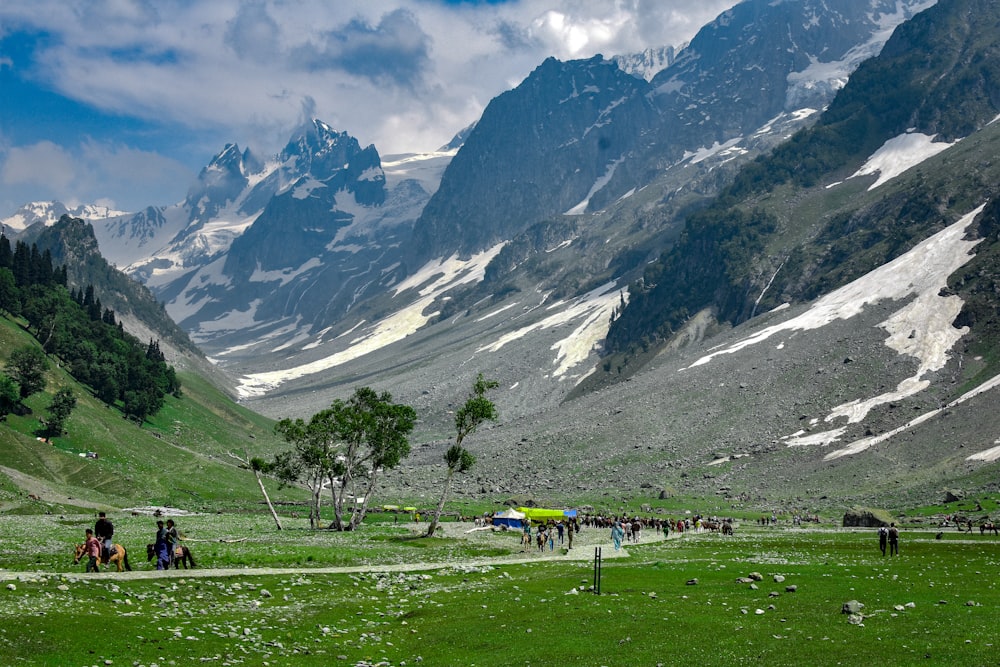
<point>179,458</point>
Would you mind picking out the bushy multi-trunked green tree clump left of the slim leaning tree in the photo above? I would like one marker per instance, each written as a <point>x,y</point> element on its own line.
<point>345,447</point>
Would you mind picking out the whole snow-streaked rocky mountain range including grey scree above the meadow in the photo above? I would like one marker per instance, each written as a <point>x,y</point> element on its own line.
<point>791,262</point>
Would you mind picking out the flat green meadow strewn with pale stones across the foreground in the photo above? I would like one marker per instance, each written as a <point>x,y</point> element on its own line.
<point>385,596</point>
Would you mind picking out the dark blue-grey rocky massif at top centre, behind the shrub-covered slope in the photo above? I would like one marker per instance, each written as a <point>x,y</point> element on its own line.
<point>575,137</point>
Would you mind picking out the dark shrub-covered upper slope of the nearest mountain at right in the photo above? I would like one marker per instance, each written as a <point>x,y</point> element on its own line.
<point>757,246</point>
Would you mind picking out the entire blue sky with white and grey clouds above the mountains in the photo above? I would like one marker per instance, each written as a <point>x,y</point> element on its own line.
<point>122,102</point>
